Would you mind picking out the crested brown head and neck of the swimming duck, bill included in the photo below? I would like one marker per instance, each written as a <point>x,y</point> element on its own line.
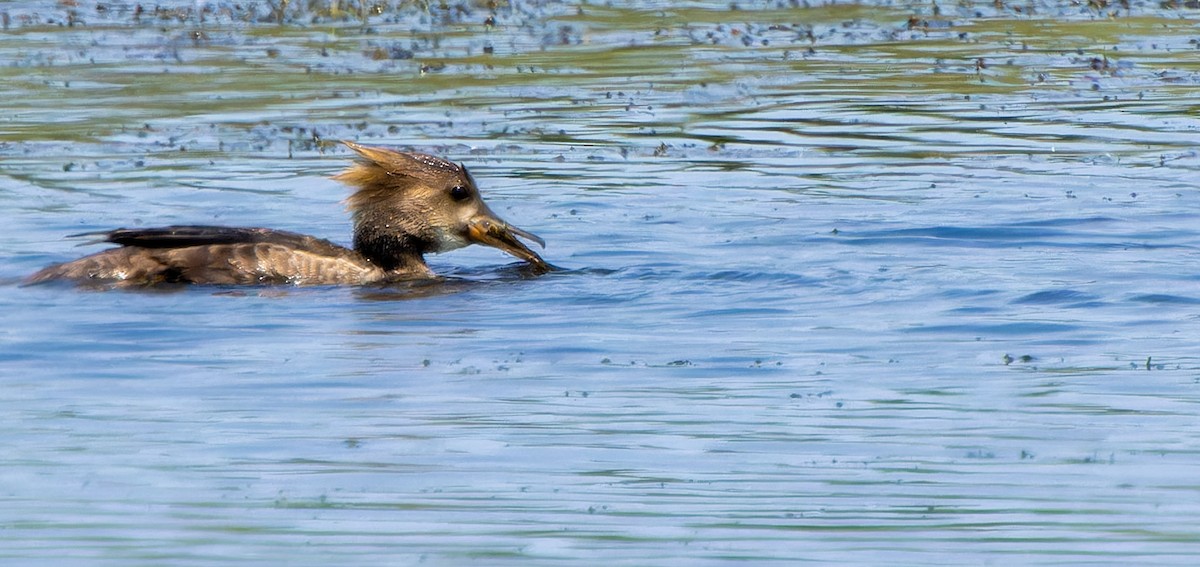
<point>409,205</point>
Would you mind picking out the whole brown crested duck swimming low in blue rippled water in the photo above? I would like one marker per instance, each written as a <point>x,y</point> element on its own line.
<point>405,206</point>
